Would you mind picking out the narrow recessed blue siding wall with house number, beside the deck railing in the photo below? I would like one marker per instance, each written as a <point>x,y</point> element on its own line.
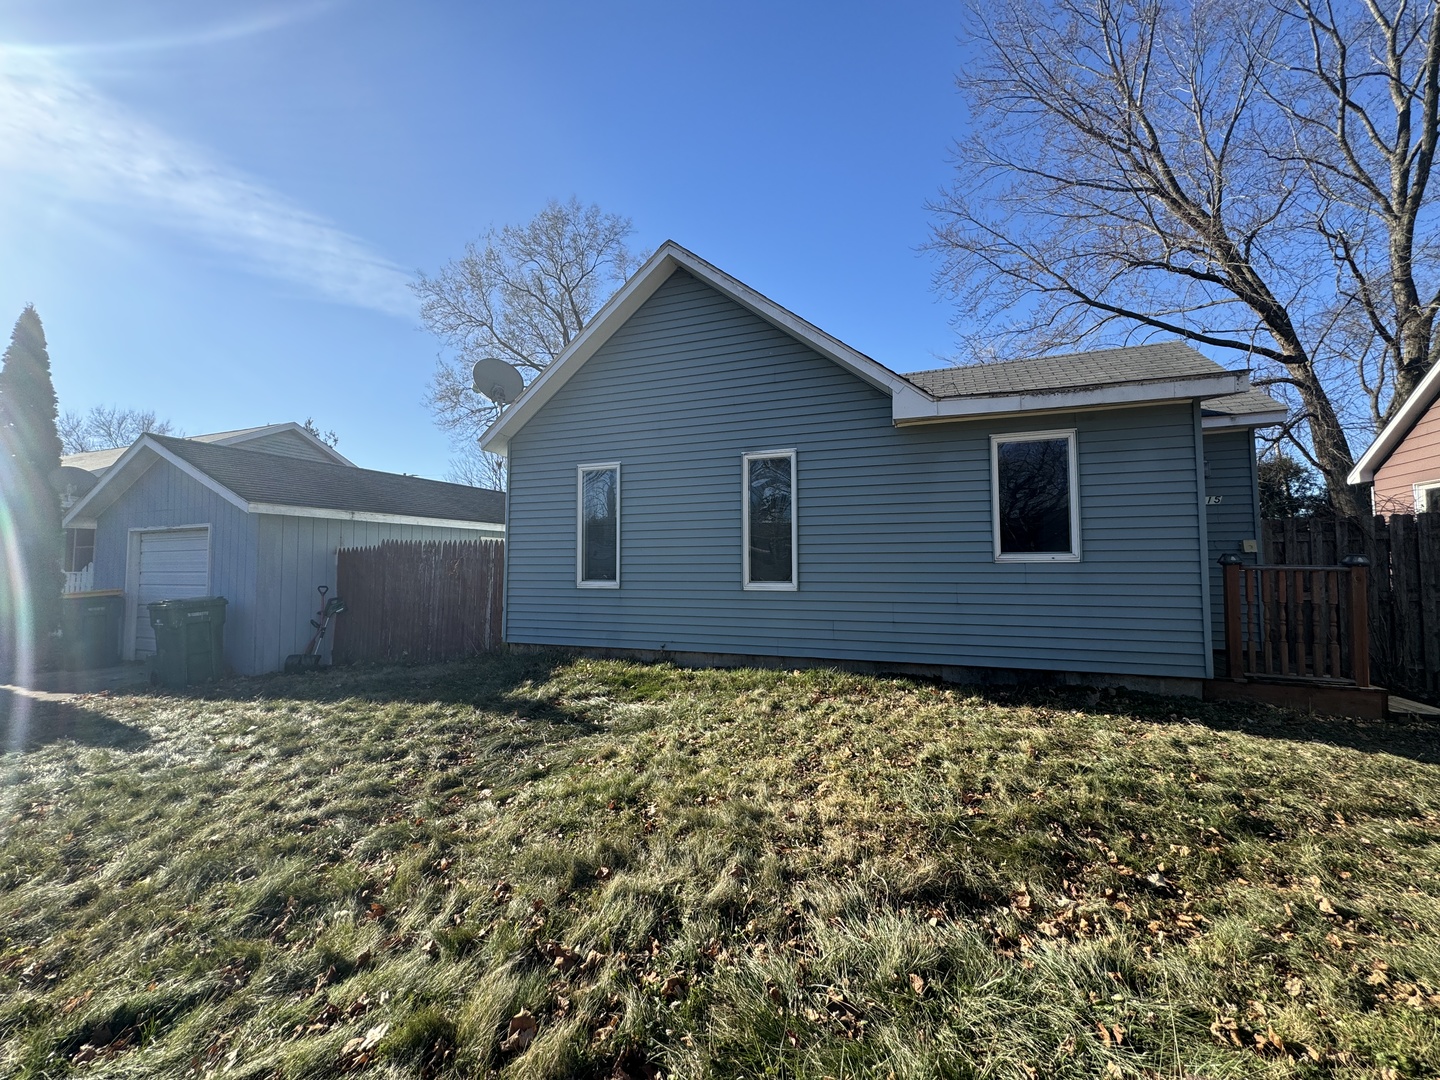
<point>1230,476</point>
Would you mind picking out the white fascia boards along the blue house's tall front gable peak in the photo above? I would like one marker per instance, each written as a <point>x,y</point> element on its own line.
<point>642,287</point>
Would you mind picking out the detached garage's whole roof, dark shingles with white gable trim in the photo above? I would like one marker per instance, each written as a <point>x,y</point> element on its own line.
<point>277,485</point>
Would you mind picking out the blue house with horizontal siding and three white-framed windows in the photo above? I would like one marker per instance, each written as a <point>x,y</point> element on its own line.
<point>709,477</point>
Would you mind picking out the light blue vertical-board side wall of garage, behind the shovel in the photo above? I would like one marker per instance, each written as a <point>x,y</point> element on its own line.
<point>297,555</point>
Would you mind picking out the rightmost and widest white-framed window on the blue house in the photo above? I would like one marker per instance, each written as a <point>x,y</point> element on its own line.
<point>1036,510</point>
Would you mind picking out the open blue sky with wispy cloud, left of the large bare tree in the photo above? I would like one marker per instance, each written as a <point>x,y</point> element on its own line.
<point>217,208</point>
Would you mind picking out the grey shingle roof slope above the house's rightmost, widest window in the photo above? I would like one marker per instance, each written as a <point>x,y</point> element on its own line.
<point>1163,362</point>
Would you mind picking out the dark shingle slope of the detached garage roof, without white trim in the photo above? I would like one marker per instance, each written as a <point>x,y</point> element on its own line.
<point>258,477</point>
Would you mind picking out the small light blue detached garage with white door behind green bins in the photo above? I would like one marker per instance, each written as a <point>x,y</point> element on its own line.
<point>176,519</point>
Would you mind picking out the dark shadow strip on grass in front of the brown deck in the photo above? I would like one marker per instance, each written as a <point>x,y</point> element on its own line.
<point>1415,739</point>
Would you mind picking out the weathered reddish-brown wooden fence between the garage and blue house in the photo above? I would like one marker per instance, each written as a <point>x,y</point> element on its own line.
<point>420,603</point>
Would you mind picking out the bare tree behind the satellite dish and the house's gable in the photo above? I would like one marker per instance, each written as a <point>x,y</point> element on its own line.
<point>522,294</point>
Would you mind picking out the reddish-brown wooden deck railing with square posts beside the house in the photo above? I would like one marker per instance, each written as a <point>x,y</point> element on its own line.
<point>1298,621</point>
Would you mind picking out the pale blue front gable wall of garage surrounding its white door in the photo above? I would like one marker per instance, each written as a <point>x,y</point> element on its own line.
<point>166,498</point>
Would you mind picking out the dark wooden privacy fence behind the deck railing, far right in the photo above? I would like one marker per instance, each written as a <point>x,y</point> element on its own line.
<point>1405,587</point>
